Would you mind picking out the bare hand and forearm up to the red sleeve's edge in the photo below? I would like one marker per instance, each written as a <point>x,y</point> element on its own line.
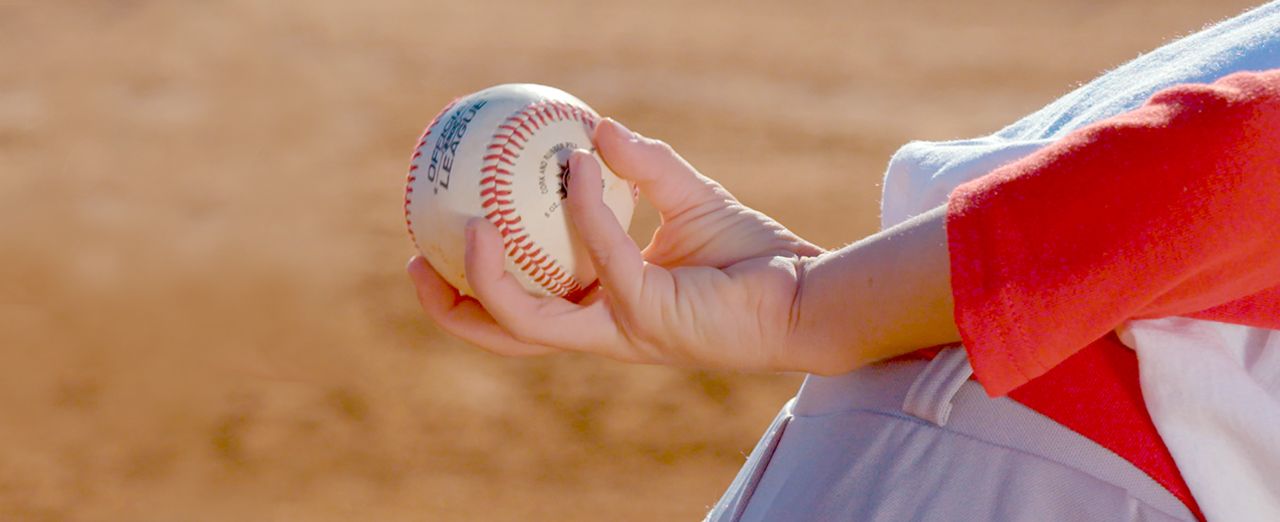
<point>720,286</point>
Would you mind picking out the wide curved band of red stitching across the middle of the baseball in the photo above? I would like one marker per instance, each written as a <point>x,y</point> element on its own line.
<point>496,194</point>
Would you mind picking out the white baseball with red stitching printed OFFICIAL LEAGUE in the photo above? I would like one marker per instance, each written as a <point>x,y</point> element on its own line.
<point>502,154</point>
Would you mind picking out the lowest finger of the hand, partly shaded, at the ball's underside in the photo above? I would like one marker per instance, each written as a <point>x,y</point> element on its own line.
<point>463,317</point>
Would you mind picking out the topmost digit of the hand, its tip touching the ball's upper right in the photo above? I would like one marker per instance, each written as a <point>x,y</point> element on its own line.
<point>664,177</point>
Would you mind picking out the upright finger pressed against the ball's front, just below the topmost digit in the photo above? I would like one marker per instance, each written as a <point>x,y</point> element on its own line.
<point>616,258</point>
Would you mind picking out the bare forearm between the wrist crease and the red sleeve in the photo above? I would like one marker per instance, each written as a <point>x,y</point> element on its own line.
<point>884,296</point>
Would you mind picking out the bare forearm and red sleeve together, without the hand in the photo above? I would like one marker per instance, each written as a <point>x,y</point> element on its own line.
<point>1168,210</point>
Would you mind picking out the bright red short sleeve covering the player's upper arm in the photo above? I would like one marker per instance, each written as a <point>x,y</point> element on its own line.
<point>1173,209</point>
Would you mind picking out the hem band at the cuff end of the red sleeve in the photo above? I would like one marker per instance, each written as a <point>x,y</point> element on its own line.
<point>982,318</point>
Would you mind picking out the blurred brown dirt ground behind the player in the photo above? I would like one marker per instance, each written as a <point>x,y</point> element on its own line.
<point>203,308</point>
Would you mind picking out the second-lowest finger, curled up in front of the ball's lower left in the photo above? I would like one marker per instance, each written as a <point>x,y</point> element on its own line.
<point>537,320</point>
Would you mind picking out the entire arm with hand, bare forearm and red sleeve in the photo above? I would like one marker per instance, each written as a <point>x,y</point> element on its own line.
<point>724,286</point>
